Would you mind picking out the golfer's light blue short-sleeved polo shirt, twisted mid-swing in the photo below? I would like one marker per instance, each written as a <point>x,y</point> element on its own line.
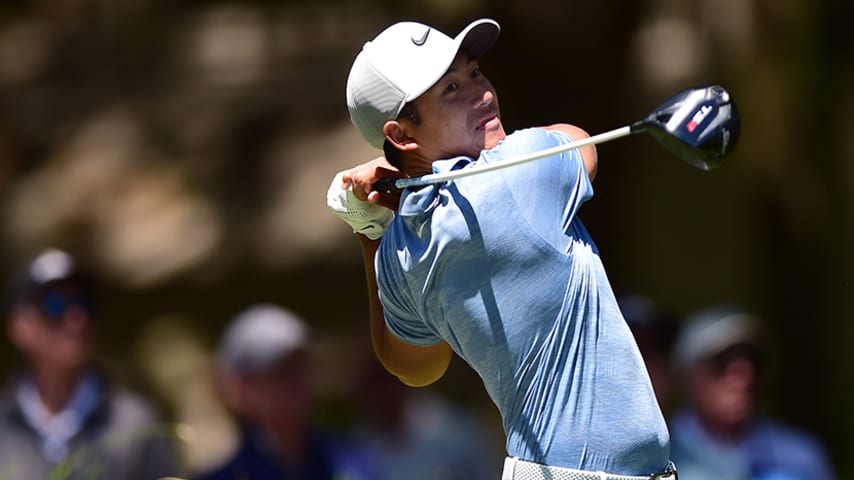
<point>500,266</point>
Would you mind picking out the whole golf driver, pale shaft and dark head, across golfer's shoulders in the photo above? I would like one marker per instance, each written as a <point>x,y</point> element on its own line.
<point>698,125</point>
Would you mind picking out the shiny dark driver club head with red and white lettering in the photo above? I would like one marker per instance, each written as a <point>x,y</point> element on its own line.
<point>699,125</point>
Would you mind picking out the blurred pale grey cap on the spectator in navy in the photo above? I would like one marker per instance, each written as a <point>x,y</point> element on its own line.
<point>260,337</point>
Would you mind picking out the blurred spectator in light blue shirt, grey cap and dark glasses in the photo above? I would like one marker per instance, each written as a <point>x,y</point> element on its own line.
<point>722,434</point>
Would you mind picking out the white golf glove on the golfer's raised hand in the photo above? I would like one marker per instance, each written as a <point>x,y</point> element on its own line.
<point>364,217</point>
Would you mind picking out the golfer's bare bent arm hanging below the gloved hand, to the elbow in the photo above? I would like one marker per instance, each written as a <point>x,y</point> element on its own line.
<point>413,365</point>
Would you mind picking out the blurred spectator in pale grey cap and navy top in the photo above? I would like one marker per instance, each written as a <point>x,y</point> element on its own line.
<point>263,367</point>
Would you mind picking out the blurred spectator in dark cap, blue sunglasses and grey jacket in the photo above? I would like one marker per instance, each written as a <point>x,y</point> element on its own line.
<point>62,418</point>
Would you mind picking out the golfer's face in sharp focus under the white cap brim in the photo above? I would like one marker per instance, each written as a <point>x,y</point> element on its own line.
<point>459,114</point>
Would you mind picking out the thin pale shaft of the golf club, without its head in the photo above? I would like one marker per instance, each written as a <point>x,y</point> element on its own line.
<point>432,178</point>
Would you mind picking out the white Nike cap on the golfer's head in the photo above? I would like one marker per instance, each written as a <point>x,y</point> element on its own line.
<point>400,64</point>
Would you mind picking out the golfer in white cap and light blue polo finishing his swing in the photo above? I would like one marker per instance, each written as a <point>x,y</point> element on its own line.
<point>495,267</point>
